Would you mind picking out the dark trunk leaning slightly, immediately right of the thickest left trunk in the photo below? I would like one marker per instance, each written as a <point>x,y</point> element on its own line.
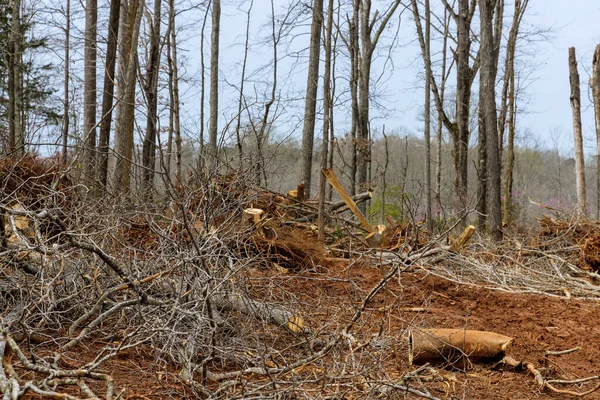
<point>151,89</point>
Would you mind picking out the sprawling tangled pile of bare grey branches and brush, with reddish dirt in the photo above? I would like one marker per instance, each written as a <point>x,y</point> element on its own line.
<point>215,304</point>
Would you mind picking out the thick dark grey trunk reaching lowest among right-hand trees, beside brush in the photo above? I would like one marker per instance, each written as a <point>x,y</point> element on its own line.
<point>488,102</point>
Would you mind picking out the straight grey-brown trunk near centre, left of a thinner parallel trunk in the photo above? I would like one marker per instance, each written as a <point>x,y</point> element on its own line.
<point>312,85</point>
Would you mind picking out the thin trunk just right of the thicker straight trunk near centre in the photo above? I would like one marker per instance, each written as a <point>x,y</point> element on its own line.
<point>326,115</point>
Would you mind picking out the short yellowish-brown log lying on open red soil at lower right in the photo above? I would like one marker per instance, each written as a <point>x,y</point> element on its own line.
<point>426,345</point>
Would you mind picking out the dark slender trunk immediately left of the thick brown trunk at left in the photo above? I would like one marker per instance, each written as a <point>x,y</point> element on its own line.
<point>109,89</point>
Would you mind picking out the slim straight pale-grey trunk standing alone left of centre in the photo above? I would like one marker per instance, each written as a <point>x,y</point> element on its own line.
<point>214,85</point>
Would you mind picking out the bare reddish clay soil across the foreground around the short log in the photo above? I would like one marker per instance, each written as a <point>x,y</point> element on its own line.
<point>415,300</point>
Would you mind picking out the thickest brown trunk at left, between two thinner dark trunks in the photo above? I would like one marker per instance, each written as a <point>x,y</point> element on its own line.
<point>131,16</point>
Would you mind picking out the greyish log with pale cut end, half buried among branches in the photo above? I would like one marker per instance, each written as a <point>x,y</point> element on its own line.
<point>259,310</point>
